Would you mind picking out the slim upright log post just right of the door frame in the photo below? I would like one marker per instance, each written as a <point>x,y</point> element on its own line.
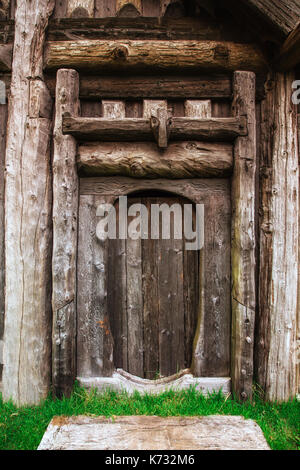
<point>243,239</point>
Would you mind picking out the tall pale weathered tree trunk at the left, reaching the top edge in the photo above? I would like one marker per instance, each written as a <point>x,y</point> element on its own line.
<point>27,344</point>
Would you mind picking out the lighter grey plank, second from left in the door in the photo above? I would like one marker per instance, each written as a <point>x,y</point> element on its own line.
<point>134,301</point>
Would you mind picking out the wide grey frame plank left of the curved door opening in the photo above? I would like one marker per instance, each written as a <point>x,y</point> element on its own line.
<point>94,339</point>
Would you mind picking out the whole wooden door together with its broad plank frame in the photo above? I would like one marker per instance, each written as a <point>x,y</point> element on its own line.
<point>149,306</point>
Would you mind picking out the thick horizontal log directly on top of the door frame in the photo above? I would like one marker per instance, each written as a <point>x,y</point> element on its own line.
<point>145,160</point>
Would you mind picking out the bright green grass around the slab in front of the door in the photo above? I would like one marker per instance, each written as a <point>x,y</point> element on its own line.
<point>23,428</point>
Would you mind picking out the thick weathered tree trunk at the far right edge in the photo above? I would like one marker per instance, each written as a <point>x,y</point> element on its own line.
<point>279,239</point>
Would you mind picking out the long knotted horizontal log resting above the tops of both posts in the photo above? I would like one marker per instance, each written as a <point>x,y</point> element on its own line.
<point>97,55</point>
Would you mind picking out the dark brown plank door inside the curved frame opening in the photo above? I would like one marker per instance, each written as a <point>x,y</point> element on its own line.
<point>153,287</point>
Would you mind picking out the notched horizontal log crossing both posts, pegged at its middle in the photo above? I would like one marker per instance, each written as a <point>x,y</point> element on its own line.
<point>135,129</point>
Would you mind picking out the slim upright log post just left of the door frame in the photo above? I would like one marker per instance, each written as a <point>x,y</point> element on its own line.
<point>65,211</point>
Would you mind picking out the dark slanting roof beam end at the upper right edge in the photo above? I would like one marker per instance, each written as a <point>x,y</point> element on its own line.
<point>289,55</point>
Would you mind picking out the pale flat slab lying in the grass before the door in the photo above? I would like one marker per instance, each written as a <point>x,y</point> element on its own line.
<point>153,432</point>
